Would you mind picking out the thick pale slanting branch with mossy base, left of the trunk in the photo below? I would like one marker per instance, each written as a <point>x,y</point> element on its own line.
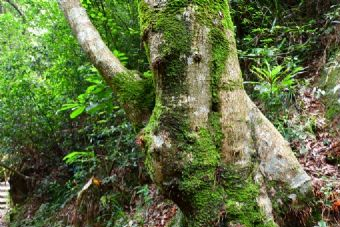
<point>131,90</point>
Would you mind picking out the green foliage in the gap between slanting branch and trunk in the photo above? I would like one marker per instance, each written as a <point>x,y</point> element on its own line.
<point>117,21</point>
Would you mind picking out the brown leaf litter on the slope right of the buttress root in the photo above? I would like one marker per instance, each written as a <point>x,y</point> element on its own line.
<point>321,156</point>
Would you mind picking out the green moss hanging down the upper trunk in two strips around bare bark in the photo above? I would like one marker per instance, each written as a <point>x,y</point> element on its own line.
<point>177,36</point>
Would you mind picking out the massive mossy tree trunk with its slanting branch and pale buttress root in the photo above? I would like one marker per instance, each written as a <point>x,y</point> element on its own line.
<point>208,147</point>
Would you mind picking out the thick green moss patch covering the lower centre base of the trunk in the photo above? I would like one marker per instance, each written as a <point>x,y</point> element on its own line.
<point>229,196</point>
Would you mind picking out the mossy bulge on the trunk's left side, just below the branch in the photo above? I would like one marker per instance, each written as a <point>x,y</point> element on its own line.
<point>173,123</point>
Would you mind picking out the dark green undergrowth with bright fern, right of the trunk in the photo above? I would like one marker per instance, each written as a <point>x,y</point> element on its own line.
<point>273,38</point>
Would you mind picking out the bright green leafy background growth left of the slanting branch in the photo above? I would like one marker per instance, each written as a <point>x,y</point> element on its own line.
<point>41,70</point>
